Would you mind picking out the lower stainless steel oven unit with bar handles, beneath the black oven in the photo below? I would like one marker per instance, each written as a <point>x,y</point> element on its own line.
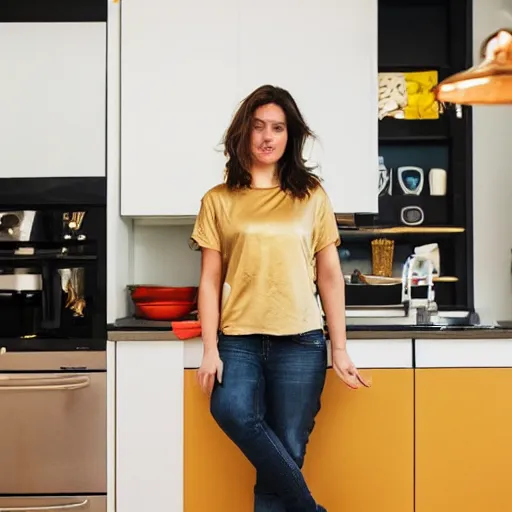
<point>53,442</point>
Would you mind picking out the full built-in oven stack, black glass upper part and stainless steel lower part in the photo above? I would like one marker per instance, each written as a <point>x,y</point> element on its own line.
<point>52,345</point>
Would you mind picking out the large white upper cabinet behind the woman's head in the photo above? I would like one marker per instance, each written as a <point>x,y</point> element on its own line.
<point>186,65</point>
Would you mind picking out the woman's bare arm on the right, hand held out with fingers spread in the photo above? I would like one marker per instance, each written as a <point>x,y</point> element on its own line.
<point>331,286</point>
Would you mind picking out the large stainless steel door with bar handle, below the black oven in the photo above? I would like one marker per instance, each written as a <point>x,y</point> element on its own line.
<point>53,433</point>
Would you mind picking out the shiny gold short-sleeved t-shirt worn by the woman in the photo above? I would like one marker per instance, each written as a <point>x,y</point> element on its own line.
<point>268,241</point>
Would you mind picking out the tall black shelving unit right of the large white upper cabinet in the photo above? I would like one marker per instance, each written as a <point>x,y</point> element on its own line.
<point>424,35</point>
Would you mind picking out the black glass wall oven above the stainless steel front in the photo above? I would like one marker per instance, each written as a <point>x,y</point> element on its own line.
<point>52,264</point>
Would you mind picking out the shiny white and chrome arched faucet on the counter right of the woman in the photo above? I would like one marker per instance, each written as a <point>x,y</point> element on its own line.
<point>424,307</point>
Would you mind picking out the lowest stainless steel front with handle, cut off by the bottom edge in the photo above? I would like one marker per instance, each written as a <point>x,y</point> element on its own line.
<point>54,504</point>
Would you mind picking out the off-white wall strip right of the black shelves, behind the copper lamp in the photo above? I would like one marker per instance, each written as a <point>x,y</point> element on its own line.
<point>492,181</point>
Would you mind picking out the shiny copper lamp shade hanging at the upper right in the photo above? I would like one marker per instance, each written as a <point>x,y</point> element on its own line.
<point>488,83</point>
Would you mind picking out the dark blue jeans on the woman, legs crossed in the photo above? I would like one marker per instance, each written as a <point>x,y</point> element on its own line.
<point>266,404</point>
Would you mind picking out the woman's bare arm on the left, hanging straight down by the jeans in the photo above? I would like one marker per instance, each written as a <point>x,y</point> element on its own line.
<point>209,313</point>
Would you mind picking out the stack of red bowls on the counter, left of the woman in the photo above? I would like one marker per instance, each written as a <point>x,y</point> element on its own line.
<point>164,303</point>
